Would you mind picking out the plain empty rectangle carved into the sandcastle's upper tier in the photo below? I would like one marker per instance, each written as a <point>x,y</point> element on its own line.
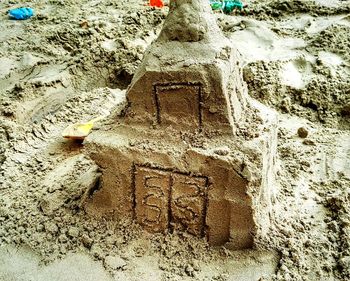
<point>179,105</point>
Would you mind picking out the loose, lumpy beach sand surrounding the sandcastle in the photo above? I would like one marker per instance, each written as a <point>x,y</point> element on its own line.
<point>74,60</point>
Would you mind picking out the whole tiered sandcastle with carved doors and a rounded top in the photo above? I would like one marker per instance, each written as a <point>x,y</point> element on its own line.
<point>175,159</point>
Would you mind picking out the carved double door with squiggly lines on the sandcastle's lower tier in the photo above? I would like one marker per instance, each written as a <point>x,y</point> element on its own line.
<point>167,200</point>
